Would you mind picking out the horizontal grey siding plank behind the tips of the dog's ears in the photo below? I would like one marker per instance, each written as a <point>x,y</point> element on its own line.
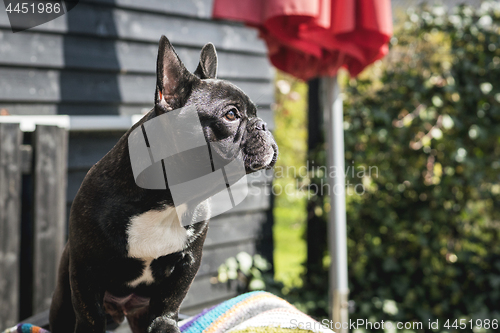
<point>74,52</point>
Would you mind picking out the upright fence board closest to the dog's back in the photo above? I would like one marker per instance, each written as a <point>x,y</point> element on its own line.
<point>50,147</point>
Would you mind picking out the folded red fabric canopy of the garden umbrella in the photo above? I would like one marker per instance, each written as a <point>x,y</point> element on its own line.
<point>311,38</point>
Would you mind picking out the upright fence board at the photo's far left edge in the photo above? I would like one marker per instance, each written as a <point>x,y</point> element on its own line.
<point>10,222</point>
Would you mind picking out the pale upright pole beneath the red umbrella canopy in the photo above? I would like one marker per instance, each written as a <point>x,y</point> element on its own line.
<point>337,236</point>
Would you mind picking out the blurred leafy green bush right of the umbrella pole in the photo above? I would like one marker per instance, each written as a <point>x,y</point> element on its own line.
<point>424,236</point>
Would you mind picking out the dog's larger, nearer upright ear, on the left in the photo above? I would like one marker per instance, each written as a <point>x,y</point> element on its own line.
<point>173,80</point>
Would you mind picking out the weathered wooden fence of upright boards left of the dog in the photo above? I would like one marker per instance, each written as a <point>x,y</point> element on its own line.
<point>32,217</point>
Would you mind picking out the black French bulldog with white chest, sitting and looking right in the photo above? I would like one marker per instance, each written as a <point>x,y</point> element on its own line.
<point>127,254</point>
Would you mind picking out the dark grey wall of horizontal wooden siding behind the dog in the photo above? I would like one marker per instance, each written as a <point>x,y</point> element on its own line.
<point>99,59</point>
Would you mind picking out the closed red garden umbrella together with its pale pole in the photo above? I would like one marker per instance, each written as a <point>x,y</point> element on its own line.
<point>313,38</point>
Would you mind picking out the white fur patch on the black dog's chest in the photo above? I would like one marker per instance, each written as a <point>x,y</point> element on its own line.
<point>154,234</point>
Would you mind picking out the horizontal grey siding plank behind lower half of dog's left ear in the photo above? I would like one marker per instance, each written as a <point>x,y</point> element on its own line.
<point>22,85</point>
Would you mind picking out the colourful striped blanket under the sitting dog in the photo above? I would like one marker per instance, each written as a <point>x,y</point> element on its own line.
<point>256,312</point>
